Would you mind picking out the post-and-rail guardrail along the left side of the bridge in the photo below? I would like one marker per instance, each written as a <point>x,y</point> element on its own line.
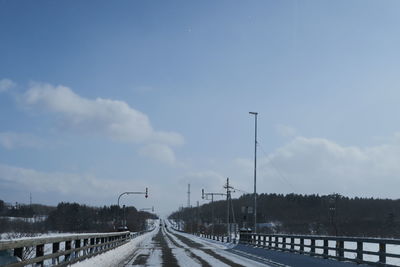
<point>63,250</point>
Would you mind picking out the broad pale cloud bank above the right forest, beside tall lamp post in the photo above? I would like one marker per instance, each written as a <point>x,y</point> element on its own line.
<point>316,165</point>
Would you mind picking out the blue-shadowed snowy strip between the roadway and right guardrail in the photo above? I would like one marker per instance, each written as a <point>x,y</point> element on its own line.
<point>290,259</point>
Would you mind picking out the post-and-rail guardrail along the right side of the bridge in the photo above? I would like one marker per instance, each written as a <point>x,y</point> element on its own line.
<point>371,251</point>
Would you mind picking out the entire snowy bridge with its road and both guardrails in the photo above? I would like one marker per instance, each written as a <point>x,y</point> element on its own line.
<point>166,246</point>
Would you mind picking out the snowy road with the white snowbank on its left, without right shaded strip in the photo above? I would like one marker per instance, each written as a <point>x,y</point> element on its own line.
<point>166,247</point>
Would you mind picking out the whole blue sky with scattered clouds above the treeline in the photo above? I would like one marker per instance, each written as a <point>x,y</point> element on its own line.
<point>102,97</point>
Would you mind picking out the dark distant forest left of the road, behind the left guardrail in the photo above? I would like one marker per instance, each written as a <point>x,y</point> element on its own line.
<point>68,217</point>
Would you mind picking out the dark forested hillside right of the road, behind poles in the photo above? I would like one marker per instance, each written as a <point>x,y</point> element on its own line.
<point>302,214</point>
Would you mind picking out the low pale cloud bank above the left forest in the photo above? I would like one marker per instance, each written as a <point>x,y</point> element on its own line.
<point>53,187</point>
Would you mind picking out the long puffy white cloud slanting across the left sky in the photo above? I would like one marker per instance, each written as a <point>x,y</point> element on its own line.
<point>112,118</point>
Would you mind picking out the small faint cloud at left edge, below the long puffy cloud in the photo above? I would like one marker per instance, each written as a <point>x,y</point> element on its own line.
<point>11,140</point>
